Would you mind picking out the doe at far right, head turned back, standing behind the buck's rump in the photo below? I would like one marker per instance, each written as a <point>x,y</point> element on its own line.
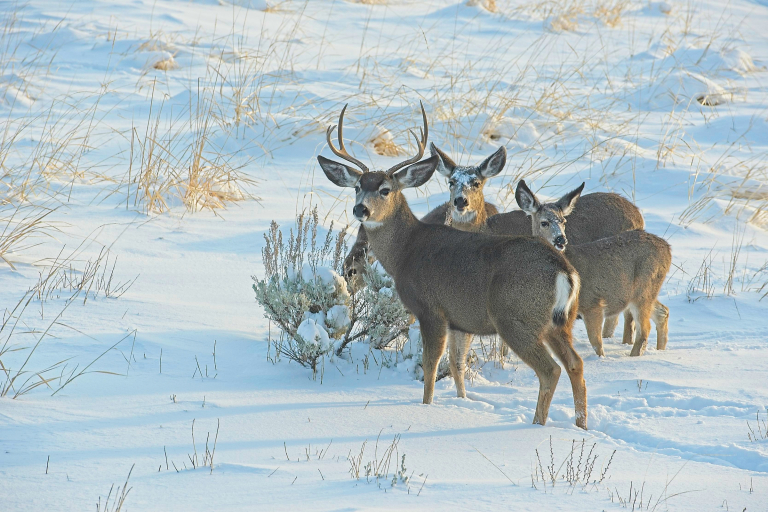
<point>622,273</point>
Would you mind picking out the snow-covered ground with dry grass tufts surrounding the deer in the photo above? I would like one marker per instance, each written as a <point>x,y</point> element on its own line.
<point>664,102</point>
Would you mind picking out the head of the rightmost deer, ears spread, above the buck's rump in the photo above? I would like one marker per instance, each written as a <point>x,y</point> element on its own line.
<point>548,220</point>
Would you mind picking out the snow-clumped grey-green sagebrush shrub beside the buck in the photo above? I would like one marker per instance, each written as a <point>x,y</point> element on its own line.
<point>304,295</point>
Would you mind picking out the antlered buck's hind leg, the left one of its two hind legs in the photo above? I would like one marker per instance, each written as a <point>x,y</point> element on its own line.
<point>525,342</point>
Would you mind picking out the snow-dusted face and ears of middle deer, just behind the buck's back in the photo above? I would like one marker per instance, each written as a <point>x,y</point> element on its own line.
<point>466,182</point>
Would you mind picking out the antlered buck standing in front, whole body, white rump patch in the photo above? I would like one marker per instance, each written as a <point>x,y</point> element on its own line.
<point>517,287</point>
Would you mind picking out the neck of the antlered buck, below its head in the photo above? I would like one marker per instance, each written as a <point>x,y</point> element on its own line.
<point>388,238</point>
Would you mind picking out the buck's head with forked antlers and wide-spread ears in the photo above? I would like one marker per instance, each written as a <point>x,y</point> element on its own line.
<point>378,193</point>
